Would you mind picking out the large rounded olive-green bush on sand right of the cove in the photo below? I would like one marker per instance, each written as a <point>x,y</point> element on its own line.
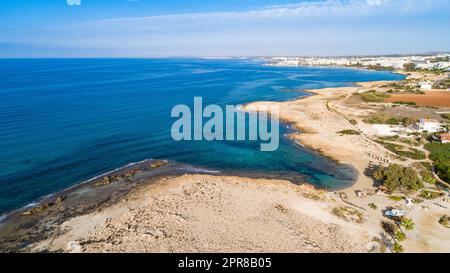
<point>398,178</point>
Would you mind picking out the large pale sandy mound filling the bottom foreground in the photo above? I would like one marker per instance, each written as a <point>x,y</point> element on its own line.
<point>201,213</point>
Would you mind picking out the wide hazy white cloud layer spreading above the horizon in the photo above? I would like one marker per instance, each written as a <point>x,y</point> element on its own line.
<point>361,26</point>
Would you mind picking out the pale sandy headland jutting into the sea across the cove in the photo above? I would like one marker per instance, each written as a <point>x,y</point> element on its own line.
<point>319,128</point>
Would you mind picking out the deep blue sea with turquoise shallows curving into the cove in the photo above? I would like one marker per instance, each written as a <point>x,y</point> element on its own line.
<point>63,121</point>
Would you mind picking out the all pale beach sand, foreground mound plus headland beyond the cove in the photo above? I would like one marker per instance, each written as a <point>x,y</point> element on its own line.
<point>223,213</point>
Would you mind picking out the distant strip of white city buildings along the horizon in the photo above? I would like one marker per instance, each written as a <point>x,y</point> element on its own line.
<point>441,61</point>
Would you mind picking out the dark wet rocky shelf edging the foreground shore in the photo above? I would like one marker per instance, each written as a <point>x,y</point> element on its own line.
<point>22,228</point>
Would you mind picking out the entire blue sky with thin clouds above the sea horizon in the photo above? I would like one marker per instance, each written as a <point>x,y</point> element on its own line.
<point>155,28</point>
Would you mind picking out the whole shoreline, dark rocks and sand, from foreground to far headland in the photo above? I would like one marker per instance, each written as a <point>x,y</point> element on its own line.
<point>163,206</point>
